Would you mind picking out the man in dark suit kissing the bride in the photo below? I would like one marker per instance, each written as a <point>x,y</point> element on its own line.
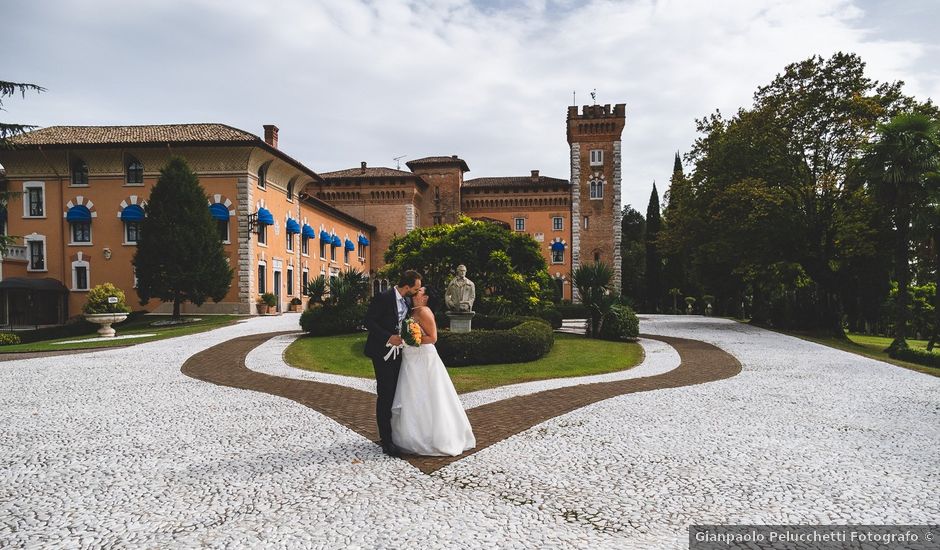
<point>383,320</point>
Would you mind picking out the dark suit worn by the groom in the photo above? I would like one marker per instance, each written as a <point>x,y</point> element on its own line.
<point>382,323</point>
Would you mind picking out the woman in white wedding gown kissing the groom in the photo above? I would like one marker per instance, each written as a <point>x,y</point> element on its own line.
<point>427,416</point>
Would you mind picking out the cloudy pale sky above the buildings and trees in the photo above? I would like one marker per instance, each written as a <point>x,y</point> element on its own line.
<point>355,80</point>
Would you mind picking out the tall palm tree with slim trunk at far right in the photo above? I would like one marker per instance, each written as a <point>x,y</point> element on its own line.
<point>906,151</point>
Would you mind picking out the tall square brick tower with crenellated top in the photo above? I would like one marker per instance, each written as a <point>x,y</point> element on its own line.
<point>594,137</point>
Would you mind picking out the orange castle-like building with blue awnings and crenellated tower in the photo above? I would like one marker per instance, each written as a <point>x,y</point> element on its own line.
<point>83,192</point>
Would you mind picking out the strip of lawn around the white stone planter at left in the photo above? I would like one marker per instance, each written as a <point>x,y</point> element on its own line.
<point>135,325</point>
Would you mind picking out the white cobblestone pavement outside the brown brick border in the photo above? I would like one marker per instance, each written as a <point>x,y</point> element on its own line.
<point>119,449</point>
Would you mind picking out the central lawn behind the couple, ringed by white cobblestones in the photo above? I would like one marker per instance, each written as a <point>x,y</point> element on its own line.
<point>571,356</point>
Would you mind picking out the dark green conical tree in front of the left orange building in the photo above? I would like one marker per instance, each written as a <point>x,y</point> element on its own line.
<point>179,256</point>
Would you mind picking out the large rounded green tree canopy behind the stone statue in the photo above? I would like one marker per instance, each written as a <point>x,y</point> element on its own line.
<point>508,268</point>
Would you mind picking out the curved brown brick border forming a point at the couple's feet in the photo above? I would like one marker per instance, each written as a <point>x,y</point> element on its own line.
<point>224,364</point>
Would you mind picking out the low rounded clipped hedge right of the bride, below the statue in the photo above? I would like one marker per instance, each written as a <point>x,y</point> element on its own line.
<point>526,341</point>
